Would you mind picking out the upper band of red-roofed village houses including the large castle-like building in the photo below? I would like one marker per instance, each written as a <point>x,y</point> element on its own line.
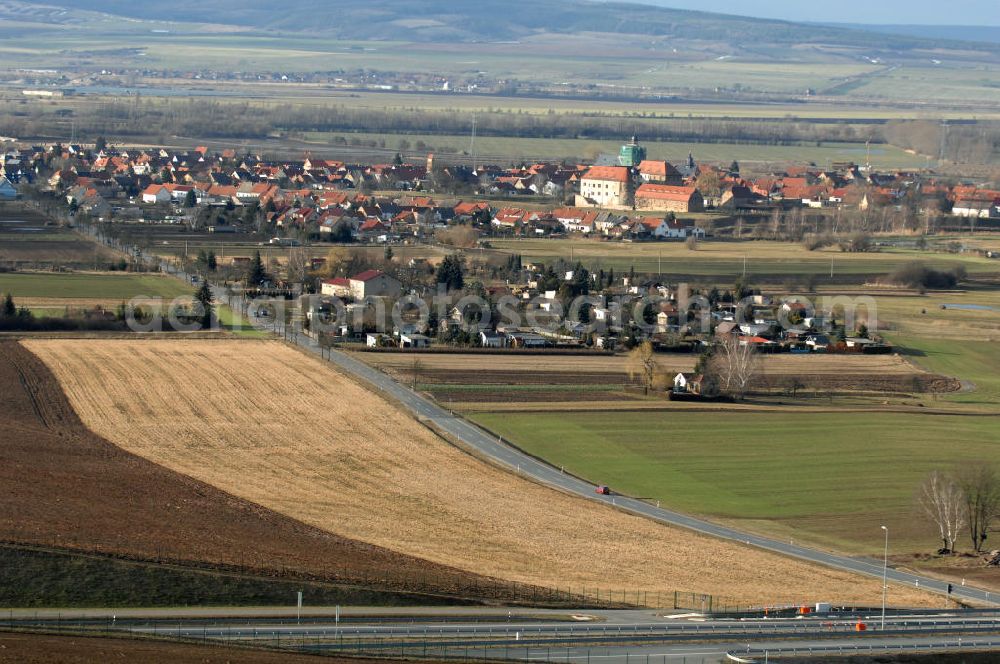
<point>628,198</point>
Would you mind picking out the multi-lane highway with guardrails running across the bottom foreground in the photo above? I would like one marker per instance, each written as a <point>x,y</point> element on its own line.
<point>491,633</point>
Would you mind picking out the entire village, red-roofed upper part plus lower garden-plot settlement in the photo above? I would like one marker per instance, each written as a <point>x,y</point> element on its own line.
<point>366,300</point>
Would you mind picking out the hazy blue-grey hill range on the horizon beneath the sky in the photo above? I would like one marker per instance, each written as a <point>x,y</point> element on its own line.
<point>487,20</point>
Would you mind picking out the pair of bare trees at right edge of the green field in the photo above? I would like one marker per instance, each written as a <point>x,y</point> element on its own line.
<point>967,499</point>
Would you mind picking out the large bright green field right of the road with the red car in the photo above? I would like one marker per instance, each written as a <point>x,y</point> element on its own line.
<point>831,478</point>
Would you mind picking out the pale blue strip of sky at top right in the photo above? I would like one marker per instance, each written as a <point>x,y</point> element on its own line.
<point>928,12</point>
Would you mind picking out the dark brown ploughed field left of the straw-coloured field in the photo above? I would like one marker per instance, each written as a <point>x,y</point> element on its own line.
<point>64,486</point>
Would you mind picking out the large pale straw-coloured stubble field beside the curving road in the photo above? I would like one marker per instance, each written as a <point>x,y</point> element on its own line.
<point>271,425</point>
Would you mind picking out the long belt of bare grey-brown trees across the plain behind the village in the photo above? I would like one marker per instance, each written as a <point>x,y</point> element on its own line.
<point>219,118</point>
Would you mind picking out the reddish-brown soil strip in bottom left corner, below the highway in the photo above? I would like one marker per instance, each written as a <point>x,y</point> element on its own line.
<point>50,649</point>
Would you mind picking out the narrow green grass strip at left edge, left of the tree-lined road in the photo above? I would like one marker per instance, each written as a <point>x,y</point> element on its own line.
<point>90,286</point>
